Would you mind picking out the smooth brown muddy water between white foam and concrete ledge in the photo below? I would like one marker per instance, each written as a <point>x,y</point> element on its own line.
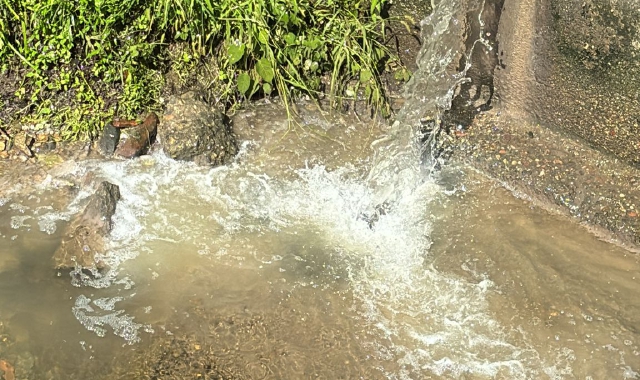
<point>569,295</point>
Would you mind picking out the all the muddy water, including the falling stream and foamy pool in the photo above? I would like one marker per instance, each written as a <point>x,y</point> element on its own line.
<point>329,252</point>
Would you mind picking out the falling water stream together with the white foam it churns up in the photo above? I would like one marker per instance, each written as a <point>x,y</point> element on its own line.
<point>376,230</point>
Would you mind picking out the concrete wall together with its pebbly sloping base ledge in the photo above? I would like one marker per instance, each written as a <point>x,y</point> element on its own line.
<point>562,127</point>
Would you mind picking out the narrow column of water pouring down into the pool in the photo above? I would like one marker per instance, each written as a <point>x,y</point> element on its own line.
<point>403,157</point>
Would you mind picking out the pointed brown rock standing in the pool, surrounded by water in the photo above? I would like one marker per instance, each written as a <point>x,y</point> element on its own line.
<point>84,237</point>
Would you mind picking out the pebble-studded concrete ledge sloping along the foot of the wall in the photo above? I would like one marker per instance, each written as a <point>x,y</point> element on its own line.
<point>558,171</point>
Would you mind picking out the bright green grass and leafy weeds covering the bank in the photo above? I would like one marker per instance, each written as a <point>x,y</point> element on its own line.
<point>81,62</point>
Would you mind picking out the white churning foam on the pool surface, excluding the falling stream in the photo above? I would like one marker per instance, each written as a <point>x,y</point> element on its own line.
<point>436,323</point>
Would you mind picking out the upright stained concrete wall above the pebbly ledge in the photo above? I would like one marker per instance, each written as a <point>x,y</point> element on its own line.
<point>574,65</point>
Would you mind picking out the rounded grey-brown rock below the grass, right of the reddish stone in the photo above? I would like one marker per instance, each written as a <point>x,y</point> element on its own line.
<point>193,131</point>
